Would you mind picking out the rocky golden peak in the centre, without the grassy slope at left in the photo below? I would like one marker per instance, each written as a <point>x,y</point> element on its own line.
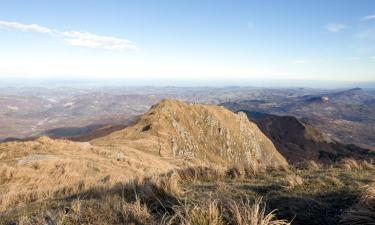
<point>205,132</point>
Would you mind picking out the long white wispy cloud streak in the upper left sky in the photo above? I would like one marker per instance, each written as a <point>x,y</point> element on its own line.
<point>75,38</point>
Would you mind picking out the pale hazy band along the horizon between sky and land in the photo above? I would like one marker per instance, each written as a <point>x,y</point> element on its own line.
<point>256,83</point>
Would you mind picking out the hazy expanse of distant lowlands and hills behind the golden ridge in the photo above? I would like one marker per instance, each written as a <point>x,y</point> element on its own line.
<point>346,116</point>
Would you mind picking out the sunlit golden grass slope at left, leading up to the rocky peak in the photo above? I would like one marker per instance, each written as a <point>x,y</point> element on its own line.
<point>46,169</point>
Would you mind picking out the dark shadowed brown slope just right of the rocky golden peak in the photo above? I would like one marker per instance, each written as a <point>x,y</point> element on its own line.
<point>298,141</point>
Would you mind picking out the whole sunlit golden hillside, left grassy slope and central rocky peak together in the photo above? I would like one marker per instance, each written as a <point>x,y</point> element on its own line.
<point>171,135</point>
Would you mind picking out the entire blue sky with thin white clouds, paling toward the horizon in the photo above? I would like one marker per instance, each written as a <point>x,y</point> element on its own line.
<point>204,40</point>
